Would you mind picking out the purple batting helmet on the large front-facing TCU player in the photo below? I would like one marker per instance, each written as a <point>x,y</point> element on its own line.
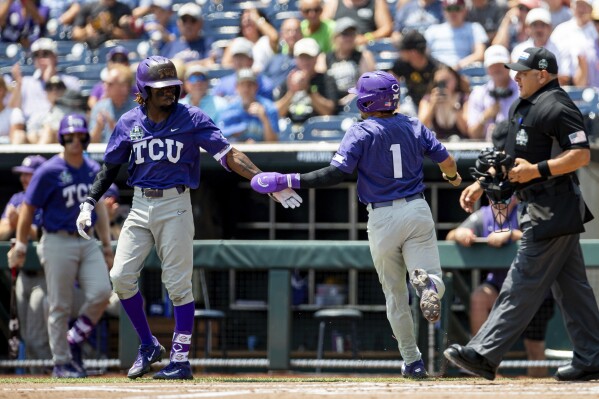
<point>157,72</point>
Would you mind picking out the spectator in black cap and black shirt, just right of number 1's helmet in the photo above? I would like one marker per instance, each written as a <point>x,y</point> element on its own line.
<point>415,68</point>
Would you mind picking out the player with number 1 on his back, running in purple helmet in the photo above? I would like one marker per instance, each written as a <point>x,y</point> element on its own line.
<point>388,150</point>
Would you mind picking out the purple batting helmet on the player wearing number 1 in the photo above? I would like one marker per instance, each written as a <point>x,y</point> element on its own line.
<point>376,91</point>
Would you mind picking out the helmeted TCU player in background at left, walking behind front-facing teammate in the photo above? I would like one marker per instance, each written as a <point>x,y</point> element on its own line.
<point>57,187</point>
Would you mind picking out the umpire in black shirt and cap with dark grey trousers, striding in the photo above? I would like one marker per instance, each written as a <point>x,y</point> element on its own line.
<point>547,140</point>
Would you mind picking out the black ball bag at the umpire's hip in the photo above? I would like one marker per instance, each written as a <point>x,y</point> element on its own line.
<point>556,209</point>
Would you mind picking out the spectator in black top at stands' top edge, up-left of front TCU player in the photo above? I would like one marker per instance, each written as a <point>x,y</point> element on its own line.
<point>100,21</point>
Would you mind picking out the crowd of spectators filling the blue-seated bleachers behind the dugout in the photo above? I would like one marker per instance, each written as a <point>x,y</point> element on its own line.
<point>279,70</point>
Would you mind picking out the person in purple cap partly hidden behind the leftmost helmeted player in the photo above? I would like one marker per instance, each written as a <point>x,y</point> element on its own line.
<point>31,312</point>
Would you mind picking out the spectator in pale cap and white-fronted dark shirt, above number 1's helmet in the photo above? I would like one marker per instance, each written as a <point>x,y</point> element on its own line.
<point>345,64</point>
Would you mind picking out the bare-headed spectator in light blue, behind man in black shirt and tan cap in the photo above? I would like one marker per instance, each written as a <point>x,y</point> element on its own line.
<point>283,61</point>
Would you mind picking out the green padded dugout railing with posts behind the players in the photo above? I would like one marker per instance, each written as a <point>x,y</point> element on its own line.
<point>280,258</point>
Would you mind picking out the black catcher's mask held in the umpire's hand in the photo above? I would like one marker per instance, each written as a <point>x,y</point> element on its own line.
<point>491,170</point>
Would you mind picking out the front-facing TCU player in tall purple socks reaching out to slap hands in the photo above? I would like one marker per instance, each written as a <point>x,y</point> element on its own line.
<point>160,140</point>
